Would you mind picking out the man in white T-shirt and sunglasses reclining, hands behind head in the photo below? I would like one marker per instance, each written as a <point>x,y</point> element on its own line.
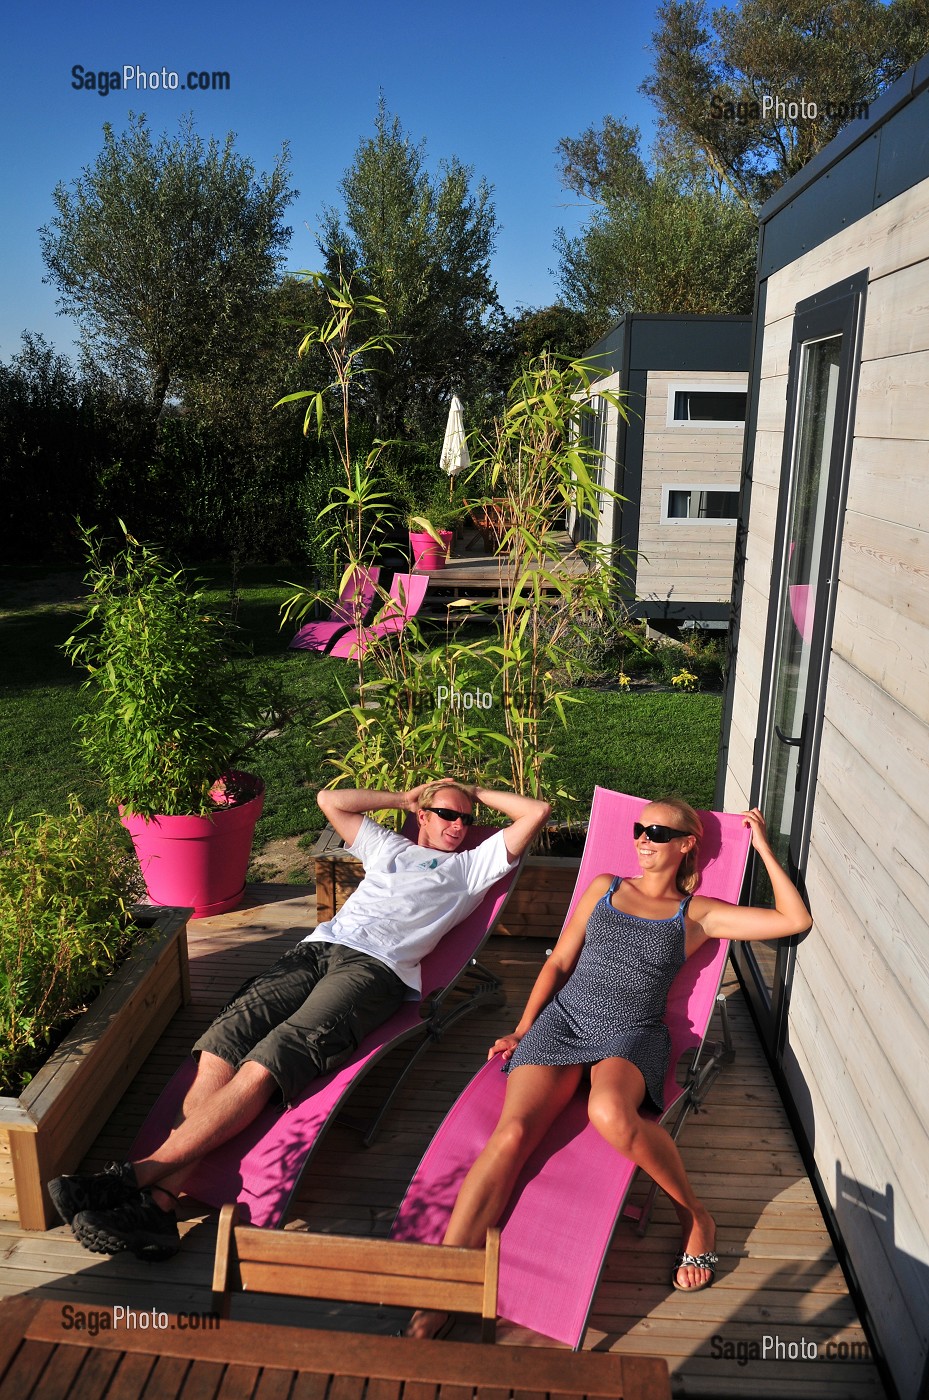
<point>309,1013</point>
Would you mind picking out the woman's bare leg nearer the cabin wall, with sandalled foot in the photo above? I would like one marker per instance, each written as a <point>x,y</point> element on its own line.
<point>618,1091</point>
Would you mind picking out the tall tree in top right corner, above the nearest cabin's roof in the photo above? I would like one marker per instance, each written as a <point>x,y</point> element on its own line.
<point>718,80</point>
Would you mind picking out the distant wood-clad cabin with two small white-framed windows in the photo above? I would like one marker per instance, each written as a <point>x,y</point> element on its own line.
<point>676,461</point>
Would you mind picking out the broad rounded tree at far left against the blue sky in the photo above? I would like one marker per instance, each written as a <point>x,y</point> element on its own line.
<point>164,253</point>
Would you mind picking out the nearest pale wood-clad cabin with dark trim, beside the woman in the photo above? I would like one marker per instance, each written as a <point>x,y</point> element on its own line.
<point>828,712</point>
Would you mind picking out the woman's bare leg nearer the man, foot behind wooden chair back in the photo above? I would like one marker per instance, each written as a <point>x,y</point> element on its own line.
<point>535,1098</point>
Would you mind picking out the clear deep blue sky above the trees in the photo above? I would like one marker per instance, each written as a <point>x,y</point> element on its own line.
<point>496,85</point>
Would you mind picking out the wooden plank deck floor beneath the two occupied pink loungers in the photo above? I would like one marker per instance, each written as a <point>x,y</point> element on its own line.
<point>779,1276</point>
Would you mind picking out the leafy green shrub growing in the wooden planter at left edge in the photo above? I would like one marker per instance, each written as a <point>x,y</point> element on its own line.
<point>66,884</point>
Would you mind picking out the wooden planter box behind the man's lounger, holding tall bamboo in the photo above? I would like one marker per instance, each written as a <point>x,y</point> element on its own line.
<point>535,909</point>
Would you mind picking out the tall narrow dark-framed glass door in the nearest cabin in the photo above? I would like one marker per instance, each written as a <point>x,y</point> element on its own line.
<point>818,442</point>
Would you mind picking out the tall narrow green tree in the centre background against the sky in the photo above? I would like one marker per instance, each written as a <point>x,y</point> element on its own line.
<point>422,244</point>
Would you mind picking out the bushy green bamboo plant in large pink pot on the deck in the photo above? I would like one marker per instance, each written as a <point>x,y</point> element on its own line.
<point>170,719</point>
